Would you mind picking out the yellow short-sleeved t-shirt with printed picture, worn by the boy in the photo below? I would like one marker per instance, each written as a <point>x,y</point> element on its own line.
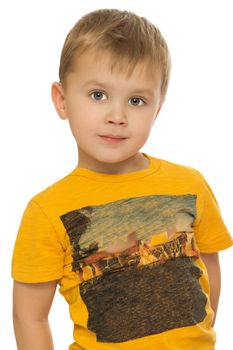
<point>126,251</point>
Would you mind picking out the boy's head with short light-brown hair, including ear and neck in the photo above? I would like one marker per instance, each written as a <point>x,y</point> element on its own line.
<point>114,73</point>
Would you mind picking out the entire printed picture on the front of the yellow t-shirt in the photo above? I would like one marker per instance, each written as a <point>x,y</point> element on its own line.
<point>135,262</point>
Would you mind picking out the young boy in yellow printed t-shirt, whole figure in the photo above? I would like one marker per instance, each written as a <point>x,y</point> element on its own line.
<point>132,240</point>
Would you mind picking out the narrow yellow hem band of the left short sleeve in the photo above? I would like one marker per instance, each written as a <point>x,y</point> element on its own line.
<point>37,277</point>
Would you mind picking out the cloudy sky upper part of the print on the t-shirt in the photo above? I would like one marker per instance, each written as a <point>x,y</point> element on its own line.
<point>109,230</point>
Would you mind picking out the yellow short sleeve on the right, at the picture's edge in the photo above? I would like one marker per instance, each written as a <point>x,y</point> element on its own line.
<point>211,232</point>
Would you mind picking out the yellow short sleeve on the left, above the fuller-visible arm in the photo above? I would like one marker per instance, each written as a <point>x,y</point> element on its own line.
<point>38,255</point>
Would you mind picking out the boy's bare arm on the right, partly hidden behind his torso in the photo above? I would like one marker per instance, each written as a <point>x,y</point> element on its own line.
<point>211,260</point>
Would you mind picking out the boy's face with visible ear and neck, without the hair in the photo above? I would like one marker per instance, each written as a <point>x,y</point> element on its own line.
<point>98,102</point>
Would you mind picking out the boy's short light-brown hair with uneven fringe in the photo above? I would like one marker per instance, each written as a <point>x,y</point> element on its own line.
<point>128,38</point>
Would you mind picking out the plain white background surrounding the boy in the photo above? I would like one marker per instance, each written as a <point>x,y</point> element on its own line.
<point>37,148</point>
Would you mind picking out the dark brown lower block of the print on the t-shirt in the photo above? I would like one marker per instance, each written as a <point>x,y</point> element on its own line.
<point>138,302</point>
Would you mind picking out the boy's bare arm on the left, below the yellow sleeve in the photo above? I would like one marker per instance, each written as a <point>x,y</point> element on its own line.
<point>31,305</point>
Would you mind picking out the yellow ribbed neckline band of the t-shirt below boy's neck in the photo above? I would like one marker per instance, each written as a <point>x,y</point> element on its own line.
<point>154,164</point>
